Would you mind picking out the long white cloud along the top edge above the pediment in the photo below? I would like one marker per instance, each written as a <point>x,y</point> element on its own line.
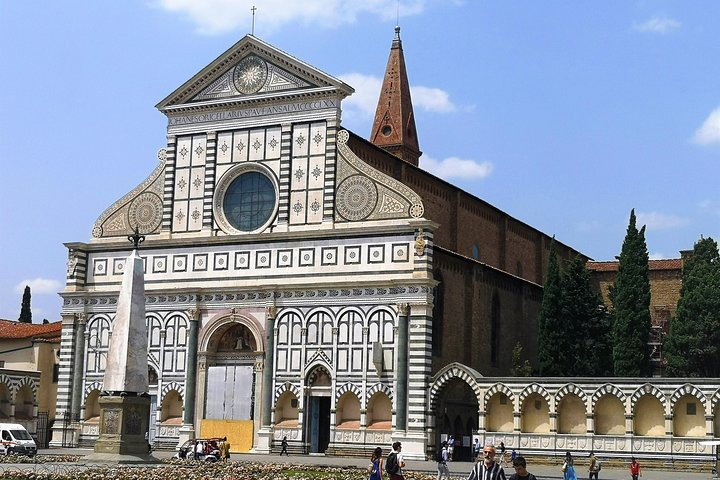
<point>220,16</point>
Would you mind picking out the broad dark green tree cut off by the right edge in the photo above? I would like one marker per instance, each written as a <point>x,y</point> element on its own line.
<point>692,347</point>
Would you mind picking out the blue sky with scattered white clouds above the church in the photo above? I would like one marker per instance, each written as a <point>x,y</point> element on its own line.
<point>564,114</point>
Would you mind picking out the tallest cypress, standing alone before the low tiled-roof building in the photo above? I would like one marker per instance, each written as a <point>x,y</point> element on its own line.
<point>630,297</point>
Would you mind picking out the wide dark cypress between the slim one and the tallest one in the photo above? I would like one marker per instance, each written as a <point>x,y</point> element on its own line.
<point>587,322</point>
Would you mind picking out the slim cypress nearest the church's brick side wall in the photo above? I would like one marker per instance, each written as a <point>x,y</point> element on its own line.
<point>553,339</point>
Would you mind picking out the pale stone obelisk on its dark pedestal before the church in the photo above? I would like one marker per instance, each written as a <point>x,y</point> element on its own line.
<point>124,401</point>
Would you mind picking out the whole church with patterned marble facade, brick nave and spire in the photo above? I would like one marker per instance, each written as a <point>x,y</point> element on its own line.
<point>301,281</point>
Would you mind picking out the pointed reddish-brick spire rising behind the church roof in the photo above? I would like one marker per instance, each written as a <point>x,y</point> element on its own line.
<point>394,125</point>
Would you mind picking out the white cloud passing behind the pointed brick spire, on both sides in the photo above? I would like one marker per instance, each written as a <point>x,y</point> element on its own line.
<point>367,91</point>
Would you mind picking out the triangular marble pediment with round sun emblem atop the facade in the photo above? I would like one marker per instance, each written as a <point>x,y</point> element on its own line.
<point>249,70</point>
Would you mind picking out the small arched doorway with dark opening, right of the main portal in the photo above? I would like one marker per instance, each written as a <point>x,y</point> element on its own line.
<point>318,400</point>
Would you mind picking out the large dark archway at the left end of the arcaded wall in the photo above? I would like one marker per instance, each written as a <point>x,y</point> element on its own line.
<point>457,416</point>
